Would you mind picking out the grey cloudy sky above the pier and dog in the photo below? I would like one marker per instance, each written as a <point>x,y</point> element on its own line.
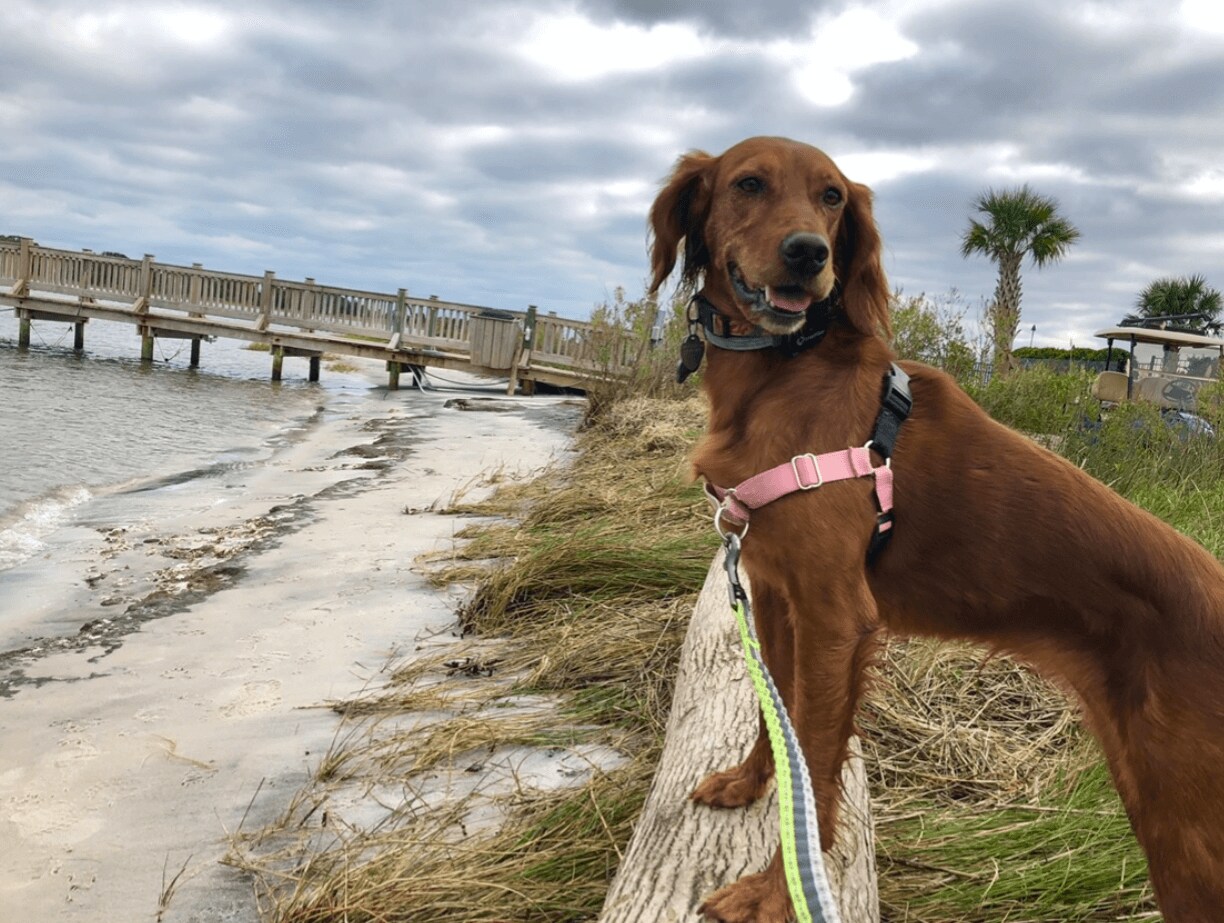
<point>505,154</point>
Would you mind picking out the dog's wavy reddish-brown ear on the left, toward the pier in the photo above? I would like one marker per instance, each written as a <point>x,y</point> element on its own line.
<point>679,215</point>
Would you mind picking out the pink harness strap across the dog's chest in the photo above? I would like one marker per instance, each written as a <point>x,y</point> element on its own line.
<point>804,473</point>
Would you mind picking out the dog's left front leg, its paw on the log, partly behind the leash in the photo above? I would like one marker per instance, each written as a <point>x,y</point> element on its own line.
<point>745,784</point>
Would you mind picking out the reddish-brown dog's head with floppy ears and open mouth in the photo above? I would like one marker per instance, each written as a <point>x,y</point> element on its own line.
<point>769,230</point>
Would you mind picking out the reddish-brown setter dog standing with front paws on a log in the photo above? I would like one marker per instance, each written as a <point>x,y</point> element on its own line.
<point>996,539</point>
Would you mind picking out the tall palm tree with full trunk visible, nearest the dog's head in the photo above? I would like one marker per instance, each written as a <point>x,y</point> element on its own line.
<point>1018,223</point>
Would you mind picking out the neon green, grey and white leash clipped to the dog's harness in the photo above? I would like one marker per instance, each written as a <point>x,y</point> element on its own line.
<point>802,860</point>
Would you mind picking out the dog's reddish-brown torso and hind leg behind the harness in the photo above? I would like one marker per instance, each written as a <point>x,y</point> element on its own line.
<point>1004,543</point>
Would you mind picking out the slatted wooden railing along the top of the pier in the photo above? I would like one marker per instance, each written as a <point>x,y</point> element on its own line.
<point>267,304</point>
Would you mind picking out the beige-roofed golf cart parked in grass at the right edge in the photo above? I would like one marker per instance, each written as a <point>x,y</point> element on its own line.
<point>1162,367</point>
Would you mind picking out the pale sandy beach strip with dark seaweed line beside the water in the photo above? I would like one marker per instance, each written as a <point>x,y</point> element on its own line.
<point>167,669</point>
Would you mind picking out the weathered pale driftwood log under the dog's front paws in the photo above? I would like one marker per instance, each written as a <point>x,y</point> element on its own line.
<point>682,853</point>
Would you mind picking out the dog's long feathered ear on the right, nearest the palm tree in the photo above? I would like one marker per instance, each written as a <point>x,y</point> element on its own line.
<point>865,288</point>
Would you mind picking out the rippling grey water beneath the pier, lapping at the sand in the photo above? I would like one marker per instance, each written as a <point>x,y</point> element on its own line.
<point>75,429</point>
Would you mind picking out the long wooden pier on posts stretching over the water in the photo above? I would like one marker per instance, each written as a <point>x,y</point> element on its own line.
<point>302,319</point>
